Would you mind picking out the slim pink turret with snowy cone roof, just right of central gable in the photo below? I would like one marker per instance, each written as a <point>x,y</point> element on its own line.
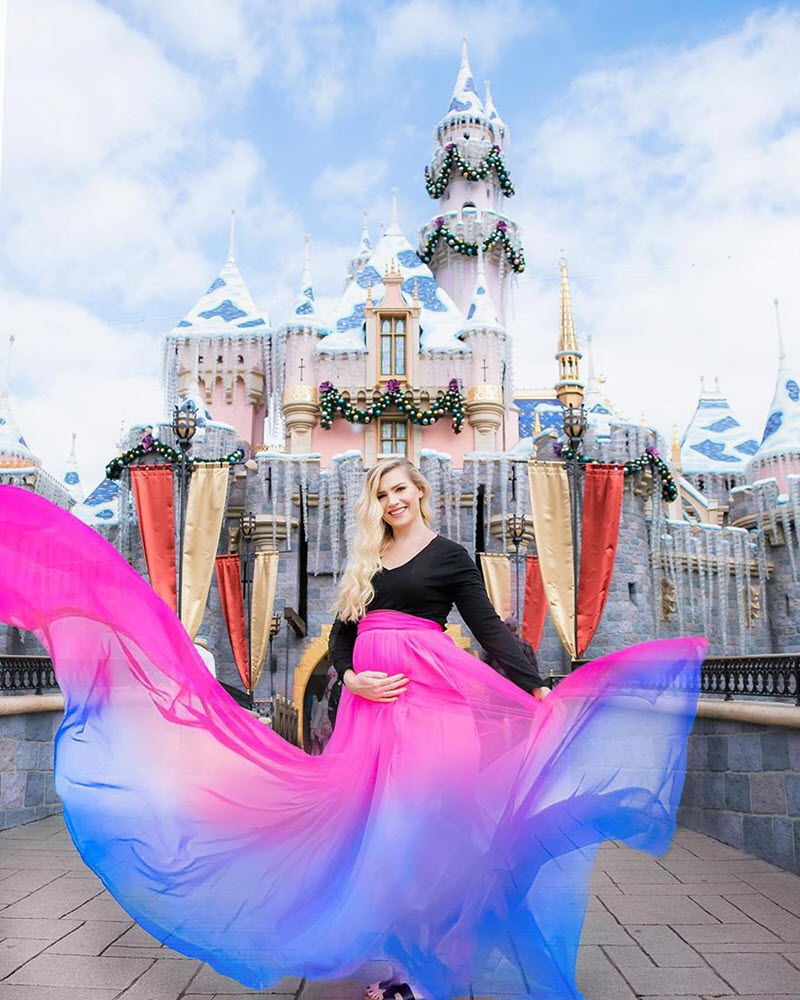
<point>486,336</point>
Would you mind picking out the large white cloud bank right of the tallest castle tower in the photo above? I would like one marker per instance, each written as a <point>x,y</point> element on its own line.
<point>670,180</point>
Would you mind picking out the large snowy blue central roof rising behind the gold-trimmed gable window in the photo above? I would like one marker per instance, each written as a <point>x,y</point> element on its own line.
<point>440,319</point>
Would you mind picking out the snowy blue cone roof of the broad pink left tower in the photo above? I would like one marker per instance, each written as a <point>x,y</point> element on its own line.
<point>226,308</point>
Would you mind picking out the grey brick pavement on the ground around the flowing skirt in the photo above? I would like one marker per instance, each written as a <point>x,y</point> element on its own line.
<point>704,921</point>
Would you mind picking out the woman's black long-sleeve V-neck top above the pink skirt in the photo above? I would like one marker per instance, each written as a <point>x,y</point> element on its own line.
<point>427,586</point>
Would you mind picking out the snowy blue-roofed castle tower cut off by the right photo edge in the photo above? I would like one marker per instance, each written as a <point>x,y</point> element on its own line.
<point>778,454</point>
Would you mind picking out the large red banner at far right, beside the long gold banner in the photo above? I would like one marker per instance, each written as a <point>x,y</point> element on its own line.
<point>602,506</point>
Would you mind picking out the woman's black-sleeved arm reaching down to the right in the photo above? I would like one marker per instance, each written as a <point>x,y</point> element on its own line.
<point>485,624</point>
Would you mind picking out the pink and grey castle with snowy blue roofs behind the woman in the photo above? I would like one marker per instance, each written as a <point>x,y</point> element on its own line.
<point>415,359</point>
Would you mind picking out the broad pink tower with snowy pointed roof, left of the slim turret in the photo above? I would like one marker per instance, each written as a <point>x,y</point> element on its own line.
<point>224,342</point>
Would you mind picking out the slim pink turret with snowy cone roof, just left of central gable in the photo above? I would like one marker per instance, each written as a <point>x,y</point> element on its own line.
<point>296,344</point>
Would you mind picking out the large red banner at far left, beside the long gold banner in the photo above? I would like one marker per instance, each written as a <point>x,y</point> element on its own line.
<point>155,508</point>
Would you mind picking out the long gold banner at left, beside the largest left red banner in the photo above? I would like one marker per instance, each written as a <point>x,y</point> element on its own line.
<point>204,512</point>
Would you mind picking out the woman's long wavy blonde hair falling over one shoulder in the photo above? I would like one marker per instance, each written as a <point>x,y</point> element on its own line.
<point>373,537</point>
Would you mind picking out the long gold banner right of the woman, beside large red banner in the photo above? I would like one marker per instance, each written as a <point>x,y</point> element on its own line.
<point>552,527</point>
